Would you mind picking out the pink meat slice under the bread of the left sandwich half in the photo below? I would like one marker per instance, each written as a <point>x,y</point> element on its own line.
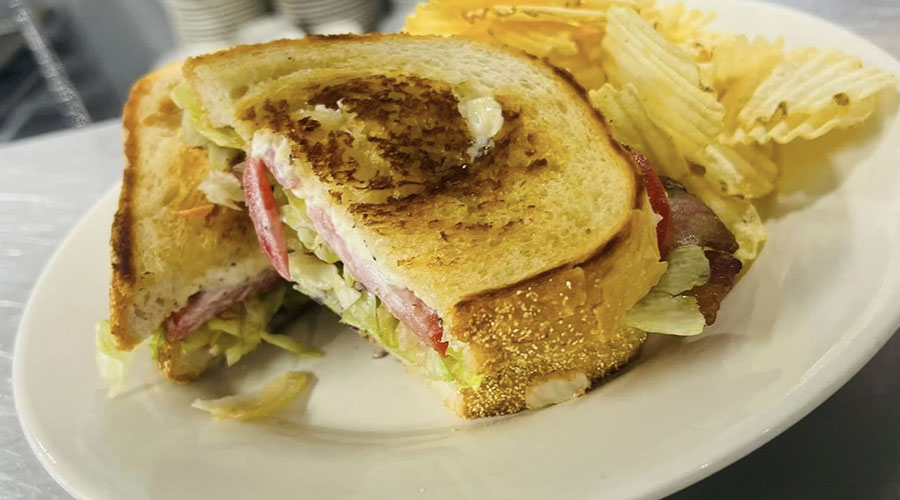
<point>207,304</point>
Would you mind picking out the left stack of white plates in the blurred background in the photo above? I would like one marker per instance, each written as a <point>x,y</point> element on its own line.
<point>202,21</point>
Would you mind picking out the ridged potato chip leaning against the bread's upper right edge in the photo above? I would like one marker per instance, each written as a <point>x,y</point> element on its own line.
<point>632,126</point>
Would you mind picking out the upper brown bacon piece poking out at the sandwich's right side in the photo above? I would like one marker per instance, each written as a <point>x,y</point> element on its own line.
<point>693,223</point>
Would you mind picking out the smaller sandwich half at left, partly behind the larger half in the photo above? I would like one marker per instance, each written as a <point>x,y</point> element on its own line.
<point>187,272</point>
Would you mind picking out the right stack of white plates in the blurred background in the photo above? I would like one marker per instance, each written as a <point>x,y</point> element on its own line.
<point>312,13</point>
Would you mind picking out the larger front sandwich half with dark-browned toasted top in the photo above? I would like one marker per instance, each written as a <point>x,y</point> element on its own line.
<point>462,206</point>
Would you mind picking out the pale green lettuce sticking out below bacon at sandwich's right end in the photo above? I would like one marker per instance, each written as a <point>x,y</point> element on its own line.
<point>663,310</point>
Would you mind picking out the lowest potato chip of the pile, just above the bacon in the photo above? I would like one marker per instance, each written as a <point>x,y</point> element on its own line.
<point>739,216</point>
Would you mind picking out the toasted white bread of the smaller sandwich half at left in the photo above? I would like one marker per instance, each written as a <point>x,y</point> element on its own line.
<point>160,257</point>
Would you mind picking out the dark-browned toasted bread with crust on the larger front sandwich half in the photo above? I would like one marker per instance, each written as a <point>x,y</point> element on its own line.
<point>530,254</point>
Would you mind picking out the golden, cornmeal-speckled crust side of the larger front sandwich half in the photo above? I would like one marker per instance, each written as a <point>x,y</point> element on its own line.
<point>564,321</point>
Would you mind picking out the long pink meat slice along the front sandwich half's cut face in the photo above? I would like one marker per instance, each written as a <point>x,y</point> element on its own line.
<point>410,310</point>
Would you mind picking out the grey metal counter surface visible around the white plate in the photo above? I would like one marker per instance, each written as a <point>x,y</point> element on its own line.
<point>847,448</point>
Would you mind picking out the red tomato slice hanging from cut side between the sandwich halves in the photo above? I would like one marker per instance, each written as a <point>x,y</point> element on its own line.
<point>265,216</point>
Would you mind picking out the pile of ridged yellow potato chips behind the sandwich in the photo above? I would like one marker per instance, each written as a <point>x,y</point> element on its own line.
<point>705,107</point>
